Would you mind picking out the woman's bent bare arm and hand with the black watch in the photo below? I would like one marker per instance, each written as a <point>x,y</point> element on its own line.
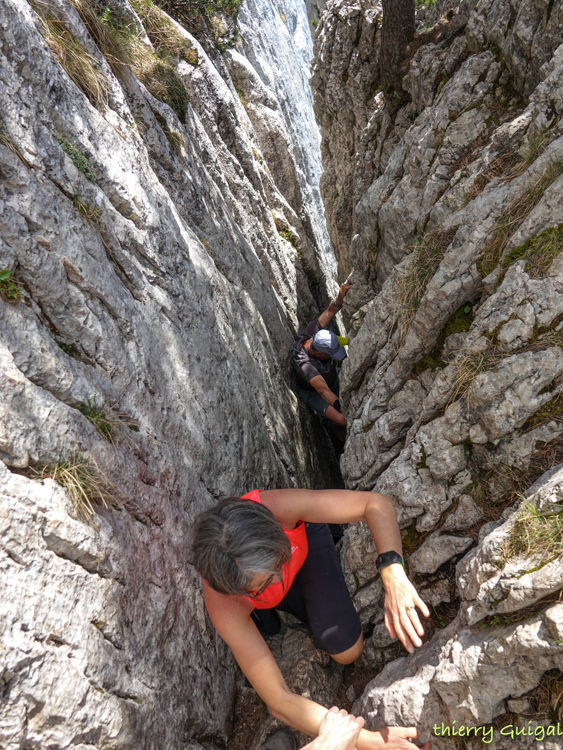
<point>346,506</point>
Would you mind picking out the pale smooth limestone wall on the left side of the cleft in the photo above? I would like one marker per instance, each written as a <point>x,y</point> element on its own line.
<point>155,281</point>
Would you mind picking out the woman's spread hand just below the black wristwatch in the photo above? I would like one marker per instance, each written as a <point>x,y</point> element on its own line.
<point>401,600</point>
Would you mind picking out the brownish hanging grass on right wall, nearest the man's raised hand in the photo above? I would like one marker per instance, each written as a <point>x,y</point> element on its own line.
<point>425,259</point>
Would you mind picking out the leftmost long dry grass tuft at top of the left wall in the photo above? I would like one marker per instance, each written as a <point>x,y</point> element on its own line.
<point>81,67</point>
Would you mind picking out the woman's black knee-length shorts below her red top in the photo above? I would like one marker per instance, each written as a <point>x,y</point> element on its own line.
<point>319,597</point>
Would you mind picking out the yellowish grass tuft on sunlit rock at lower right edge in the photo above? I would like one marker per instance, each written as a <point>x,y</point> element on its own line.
<point>537,532</point>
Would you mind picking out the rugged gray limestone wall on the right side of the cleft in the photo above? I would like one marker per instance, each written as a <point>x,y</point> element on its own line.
<point>444,202</point>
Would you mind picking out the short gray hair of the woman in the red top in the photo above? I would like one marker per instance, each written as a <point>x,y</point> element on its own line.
<point>235,540</point>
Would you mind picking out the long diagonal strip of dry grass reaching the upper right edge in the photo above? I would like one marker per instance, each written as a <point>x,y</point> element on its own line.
<point>513,218</point>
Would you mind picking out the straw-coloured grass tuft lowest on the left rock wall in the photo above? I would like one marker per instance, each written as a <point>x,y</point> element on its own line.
<point>84,483</point>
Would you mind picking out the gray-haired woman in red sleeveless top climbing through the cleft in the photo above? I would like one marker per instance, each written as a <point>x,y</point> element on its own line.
<point>273,549</point>
